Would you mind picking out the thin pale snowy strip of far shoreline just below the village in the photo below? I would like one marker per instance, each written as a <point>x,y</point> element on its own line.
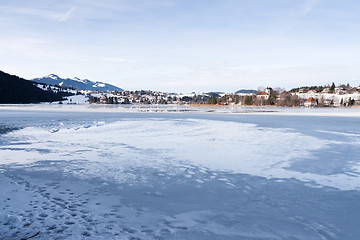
<point>203,109</point>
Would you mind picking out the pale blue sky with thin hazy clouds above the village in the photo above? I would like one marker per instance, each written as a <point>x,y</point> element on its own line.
<point>184,45</point>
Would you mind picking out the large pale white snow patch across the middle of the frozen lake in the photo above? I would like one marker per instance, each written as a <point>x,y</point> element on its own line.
<point>114,150</point>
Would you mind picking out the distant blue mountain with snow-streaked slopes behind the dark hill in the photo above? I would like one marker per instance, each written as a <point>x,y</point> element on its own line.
<point>76,83</point>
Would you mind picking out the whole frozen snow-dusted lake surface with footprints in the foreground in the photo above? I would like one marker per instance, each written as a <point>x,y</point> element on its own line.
<point>97,172</point>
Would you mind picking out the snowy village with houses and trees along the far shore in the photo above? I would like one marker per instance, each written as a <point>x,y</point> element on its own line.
<point>316,96</point>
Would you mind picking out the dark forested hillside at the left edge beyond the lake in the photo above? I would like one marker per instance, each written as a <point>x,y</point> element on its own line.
<point>14,89</point>
